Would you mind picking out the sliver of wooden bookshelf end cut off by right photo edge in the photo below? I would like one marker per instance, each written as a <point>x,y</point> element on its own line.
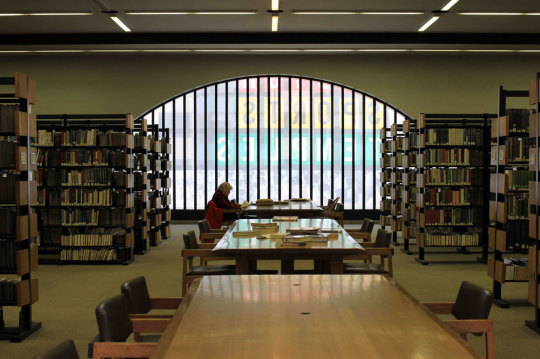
<point>534,228</point>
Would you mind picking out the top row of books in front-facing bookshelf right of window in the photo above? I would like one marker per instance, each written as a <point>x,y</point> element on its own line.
<point>455,136</point>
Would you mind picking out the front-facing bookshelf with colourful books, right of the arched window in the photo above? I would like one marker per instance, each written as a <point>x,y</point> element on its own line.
<point>452,168</point>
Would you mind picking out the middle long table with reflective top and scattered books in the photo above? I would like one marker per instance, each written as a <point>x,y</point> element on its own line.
<point>329,255</point>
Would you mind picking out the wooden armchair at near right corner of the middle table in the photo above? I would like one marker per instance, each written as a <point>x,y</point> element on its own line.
<point>381,248</point>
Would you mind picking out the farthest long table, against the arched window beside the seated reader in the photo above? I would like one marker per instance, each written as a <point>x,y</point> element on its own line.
<point>302,209</point>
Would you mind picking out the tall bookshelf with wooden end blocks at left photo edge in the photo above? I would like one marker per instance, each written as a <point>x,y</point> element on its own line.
<point>18,222</point>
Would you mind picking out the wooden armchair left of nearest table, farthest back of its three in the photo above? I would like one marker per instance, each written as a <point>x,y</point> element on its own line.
<point>140,304</point>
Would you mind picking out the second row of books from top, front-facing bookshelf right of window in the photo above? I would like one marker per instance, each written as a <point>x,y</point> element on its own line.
<point>449,157</point>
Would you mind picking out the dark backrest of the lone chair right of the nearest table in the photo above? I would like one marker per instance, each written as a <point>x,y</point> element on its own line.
<point>472,302</point>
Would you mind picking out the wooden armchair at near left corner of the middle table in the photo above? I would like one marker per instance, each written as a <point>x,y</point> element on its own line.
<point>192,250</point>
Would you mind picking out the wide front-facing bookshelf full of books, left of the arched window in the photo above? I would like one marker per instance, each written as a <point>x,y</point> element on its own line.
<point>85,182</point>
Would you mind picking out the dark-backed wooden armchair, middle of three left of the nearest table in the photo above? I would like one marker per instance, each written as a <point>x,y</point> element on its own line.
<point>115,325</point>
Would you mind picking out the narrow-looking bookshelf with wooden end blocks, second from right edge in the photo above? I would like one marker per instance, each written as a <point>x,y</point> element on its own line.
<point>508,207</point>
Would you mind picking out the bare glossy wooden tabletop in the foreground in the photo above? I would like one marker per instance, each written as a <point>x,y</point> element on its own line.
<point>305,316</point>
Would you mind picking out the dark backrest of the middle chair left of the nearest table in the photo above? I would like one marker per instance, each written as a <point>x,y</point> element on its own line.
<point>113,319</point>
